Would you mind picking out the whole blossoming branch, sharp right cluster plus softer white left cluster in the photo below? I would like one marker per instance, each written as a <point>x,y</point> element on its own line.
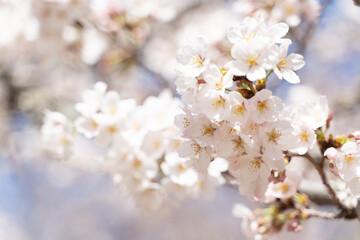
<point>228,128</point>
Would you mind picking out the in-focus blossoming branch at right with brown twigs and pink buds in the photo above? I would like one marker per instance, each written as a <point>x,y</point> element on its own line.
<point>231,113</point>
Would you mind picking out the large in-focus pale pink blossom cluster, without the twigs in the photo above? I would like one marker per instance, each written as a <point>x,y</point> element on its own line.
<point>248,127</point>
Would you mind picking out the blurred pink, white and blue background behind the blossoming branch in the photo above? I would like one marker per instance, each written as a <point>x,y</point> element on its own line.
<point>52,50</point>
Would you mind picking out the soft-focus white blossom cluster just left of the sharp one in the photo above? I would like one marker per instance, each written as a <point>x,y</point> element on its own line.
<point>138,146</point>
